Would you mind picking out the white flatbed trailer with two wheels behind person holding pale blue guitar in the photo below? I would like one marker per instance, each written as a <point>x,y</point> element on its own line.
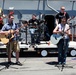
<point>47,47</point>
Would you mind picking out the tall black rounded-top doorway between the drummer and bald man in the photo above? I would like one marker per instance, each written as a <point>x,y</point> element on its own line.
<point>50,24</point>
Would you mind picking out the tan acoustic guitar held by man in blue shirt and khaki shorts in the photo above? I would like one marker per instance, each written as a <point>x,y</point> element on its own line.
<point>6,36</point>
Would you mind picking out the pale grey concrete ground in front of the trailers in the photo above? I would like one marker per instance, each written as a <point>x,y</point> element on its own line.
<point>38,66</point>
